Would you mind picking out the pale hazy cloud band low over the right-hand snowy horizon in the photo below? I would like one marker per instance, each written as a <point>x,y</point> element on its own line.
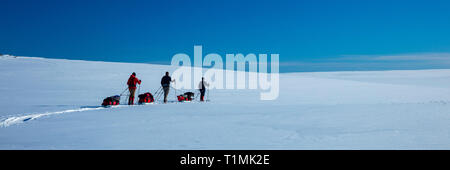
<point>372,62</point>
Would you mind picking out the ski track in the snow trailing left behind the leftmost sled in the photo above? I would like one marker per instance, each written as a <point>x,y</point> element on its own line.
<point>20,119</point>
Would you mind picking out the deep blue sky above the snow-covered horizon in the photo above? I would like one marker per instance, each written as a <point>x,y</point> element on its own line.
<point>316,35</point>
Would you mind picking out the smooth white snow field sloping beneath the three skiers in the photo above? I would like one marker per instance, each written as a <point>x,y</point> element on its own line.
<point>53,104</point>
